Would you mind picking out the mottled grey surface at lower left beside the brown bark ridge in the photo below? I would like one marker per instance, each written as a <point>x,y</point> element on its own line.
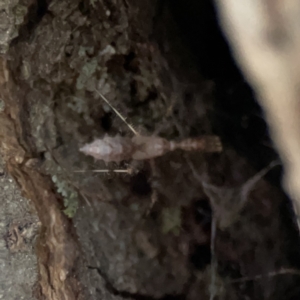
<point>18,262</point>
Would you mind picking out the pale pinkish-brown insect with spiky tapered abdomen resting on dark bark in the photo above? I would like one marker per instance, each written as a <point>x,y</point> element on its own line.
<point>118,148</point>
